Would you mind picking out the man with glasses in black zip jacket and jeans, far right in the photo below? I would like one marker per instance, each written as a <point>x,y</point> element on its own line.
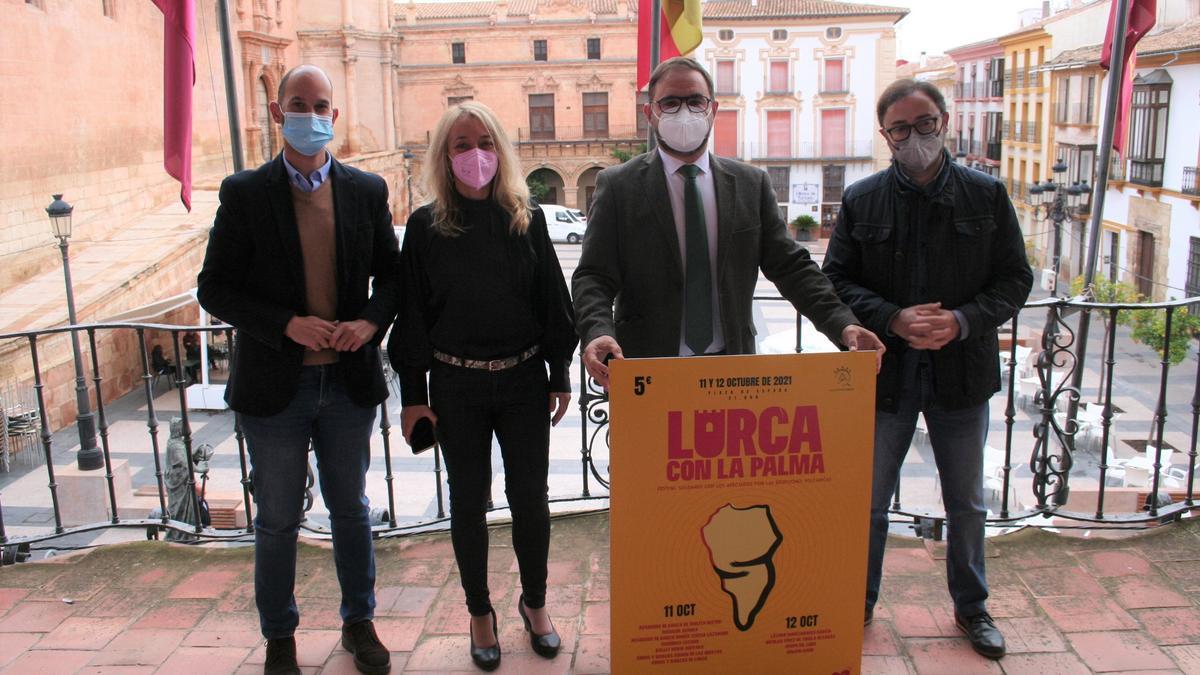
<point>929,255</point>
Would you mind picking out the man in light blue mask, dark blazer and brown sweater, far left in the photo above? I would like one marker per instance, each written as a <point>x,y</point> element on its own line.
<point>304,262</point>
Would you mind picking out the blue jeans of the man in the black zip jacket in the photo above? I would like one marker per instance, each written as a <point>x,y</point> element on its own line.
<point>958,439</point>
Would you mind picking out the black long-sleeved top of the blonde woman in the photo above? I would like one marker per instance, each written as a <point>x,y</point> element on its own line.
<point>484,295</point>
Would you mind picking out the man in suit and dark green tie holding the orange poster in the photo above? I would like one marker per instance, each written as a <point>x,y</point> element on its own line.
<point>676,240</point>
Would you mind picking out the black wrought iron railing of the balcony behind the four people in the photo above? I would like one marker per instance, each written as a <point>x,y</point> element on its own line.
<point>1051,456</point>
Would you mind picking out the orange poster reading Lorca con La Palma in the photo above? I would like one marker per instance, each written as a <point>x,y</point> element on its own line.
<point>741,497</point>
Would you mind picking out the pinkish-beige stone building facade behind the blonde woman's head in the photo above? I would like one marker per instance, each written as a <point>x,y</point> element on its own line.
<point>501,73</point>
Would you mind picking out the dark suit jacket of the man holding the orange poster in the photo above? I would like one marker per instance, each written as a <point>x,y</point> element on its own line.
<point>629,283</point>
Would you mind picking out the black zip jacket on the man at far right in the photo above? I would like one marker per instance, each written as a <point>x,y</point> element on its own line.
<point>976,265</point>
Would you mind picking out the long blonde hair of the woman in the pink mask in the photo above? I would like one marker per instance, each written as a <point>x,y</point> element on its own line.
<point>509,188</point>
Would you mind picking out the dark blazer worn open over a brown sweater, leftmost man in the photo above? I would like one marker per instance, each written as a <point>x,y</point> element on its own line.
<point>254,279</point>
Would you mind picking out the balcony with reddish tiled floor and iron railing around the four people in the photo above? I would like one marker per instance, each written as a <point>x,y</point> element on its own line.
<point>1084,578</point>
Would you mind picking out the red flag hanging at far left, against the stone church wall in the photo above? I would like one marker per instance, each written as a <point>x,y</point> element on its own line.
<point>179,77</point>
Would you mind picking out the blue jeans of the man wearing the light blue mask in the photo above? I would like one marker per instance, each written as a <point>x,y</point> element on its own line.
<point>340,432</point>
